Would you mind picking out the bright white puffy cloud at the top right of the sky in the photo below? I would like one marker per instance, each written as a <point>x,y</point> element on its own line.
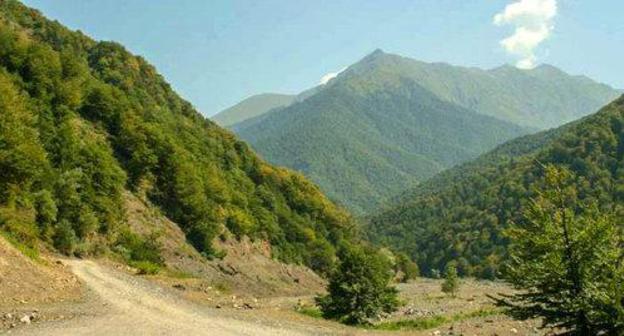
<point>533,21</point>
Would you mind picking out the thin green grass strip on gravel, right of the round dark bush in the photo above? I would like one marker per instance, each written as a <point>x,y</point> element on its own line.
<point>425,323</point>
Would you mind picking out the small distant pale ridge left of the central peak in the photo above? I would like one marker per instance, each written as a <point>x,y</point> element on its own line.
<point>252,107</point>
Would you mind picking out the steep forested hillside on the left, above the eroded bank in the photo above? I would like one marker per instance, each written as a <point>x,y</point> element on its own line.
<point>80,121</point>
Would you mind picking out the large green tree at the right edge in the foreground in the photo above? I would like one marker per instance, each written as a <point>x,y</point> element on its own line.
<point>566,258</point>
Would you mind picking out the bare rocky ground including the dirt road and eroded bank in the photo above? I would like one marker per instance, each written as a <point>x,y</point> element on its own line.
<point>245,293</point>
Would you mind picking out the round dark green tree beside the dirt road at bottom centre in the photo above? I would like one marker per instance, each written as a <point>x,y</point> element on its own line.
<point>359,288</point>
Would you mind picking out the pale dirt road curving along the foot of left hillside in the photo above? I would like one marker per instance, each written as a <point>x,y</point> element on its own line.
<point>129,305</point>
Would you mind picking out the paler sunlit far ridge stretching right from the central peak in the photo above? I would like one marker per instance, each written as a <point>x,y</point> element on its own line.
<point>540,98</point>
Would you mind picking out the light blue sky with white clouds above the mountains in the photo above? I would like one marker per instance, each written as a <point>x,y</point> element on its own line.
<point>216,53</point>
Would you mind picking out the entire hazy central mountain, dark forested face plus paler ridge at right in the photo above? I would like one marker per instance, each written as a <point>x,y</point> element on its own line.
<point>388,123</point>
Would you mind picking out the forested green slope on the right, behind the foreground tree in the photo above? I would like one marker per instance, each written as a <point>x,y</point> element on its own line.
<point>459,214</point>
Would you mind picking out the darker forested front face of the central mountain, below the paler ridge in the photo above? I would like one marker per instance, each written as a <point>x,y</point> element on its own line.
<point>367,136</point>
